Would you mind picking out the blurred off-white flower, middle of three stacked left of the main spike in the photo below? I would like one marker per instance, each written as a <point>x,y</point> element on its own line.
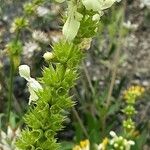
<point>40,36</point>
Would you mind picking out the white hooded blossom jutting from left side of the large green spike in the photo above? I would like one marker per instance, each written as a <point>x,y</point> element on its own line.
<point>33,85</point>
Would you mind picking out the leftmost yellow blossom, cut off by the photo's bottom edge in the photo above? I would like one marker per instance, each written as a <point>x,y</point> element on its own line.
<point>84,145</point>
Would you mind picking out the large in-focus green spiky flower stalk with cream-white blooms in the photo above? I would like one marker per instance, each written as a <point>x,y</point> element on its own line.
<point>49,97</point>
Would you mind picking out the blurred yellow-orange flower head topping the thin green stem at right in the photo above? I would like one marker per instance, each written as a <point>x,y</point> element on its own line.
<point>132,93</point>
